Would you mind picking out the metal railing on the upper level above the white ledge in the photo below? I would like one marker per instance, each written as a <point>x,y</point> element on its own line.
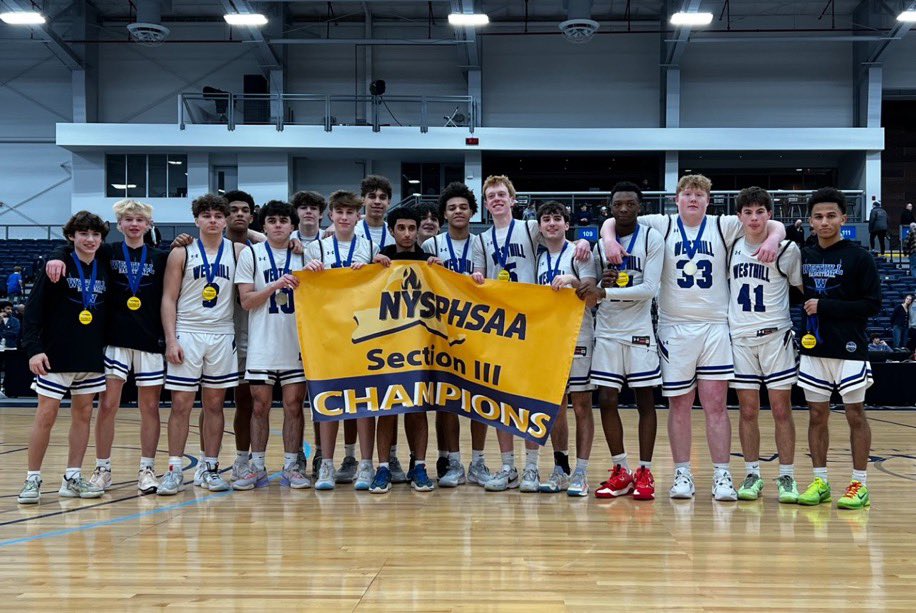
<point>326,110</point>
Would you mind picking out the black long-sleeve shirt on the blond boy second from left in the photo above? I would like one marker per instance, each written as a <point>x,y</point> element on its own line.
<point>140,329</point>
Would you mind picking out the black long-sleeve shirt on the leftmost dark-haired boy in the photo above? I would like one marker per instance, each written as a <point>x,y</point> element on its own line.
<point>51,322</point>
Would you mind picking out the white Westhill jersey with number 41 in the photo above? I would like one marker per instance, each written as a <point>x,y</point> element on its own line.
<point>759,304</point>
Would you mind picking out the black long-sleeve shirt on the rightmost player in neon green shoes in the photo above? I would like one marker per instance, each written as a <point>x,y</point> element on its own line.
<point>844,279</point>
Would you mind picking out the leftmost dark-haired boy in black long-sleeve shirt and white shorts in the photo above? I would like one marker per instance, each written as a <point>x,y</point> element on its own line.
<point>63,335</point>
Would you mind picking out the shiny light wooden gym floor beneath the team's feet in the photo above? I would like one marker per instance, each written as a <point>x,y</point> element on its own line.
<point>461,549</point>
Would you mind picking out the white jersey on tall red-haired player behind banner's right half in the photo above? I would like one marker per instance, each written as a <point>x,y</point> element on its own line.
<point>519,249</point>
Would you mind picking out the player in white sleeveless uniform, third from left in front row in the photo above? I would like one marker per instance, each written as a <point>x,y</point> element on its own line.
<point>198,301</point>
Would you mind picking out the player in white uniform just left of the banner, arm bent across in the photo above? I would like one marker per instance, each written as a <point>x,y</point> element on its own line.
<point>266,291</point>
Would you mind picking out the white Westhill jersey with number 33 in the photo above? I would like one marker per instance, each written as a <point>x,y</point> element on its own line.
<point>701,297</point>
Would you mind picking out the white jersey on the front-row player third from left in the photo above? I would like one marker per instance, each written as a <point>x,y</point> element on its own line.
<point>195,314</point>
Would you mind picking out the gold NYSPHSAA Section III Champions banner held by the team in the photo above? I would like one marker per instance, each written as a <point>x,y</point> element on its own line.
<point>414,337</point>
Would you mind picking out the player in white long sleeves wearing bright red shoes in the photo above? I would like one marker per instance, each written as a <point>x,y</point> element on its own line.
<point>625,347</point>
